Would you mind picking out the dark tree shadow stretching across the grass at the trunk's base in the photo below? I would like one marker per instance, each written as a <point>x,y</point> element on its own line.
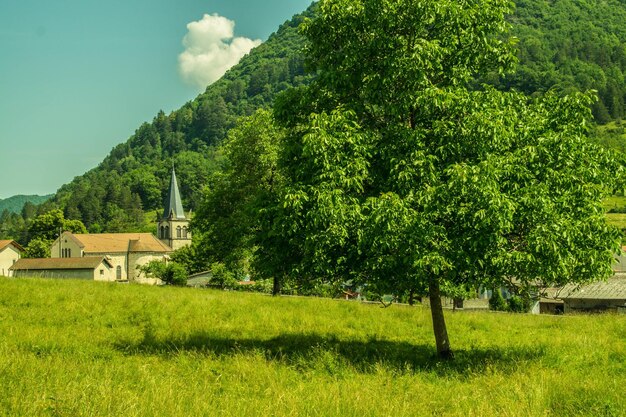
<point>330,354</point>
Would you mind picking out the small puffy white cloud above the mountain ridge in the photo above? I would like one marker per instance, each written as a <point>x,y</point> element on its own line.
<point>211,49</point>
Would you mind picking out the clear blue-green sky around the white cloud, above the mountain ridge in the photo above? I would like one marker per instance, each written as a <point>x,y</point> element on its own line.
<point>77,77</point>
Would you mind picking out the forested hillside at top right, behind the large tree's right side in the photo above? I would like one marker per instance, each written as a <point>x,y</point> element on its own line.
<point>572,45</point>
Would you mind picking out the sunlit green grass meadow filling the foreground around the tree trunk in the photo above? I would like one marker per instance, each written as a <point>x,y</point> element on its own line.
<point>78,348</point>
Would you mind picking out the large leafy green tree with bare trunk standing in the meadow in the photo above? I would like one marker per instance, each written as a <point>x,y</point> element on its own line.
<point>401,177</point>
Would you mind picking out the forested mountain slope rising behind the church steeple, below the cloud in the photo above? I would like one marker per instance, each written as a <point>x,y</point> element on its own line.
<point>133,177</point>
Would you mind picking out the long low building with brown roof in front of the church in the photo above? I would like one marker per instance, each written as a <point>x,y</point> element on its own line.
<point>92,268</point>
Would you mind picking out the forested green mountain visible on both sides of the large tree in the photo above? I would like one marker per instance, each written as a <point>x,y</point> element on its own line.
<point>564,44</point>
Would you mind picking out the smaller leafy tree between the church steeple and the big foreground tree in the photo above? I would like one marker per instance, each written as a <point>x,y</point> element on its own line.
<point>238,199</point>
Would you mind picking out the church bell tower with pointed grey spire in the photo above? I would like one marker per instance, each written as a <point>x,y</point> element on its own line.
<point>173,227</point>
